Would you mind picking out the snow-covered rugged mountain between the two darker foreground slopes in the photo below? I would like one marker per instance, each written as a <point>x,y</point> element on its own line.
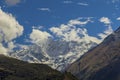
<point>56,54</point>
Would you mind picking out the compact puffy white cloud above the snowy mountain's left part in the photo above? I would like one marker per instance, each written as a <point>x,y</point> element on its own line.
<point>38,36</point>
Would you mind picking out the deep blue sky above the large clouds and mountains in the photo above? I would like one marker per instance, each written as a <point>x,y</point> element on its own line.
<point>46,14</point>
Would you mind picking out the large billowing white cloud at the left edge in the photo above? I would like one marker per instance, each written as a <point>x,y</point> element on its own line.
<point>9,30</point>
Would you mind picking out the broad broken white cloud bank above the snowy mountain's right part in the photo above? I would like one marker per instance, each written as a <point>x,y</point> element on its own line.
<point>70,32</point>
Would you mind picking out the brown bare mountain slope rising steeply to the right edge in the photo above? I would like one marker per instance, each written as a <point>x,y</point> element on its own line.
<point>101,62</point>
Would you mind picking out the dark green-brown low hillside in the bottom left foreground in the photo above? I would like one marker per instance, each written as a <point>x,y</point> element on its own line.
<point>13,69</point>
